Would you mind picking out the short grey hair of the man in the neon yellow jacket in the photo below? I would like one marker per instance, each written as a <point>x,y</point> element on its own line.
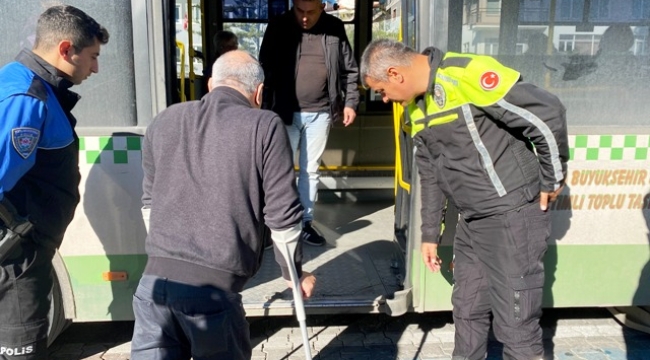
<point>381,54</point>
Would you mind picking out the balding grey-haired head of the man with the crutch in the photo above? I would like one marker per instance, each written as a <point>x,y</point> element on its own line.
<point>243,72</point>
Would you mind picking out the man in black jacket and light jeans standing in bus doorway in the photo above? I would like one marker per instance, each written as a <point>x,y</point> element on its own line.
<point>311,80</point>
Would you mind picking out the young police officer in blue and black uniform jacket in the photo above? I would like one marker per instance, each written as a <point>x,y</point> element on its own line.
<point>39,171</point>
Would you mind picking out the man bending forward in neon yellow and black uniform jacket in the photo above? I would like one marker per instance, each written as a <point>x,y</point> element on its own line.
<point>497,148</point>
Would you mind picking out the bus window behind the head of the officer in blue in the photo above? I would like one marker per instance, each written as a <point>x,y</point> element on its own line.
<point>116,68</point>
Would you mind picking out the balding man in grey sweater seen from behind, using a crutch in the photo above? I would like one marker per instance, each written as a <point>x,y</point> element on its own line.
<point>217,173</point>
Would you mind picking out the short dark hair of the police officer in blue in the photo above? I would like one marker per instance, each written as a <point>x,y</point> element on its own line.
<point>65,22</point>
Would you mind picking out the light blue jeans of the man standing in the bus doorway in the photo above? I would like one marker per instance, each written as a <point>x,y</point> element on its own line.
<point>310,131</point>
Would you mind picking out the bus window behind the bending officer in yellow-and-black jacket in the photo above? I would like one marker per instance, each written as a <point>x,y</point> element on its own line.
<point>590,53</point>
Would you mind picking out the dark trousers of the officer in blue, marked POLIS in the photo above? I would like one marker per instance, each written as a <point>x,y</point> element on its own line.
<point>25,284</point>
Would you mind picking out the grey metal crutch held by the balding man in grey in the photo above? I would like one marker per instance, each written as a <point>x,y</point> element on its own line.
<point>287,247</point>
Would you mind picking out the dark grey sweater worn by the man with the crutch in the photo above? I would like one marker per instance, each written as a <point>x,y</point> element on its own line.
<point>216,171</point>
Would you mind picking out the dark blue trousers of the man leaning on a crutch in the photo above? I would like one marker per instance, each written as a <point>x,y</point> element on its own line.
<point>178,321</point>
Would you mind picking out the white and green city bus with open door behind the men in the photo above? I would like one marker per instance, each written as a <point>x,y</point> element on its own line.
<point>599,249</point>
